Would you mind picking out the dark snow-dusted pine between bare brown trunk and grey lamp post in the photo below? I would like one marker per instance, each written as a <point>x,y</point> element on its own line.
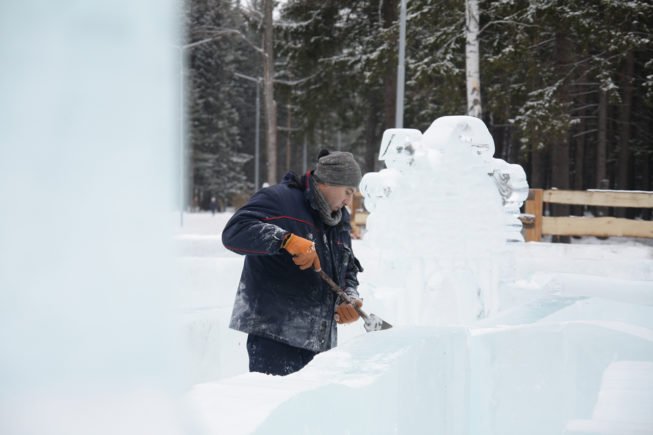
<point>345,54</point>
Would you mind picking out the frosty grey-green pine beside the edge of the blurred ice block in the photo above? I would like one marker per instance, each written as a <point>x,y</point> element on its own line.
<point>214,123</point>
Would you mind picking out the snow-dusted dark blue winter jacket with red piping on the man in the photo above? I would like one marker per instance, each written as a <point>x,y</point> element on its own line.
<point>275,298</point>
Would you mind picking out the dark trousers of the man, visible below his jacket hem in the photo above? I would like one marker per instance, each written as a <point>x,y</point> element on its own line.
<point>275,358</point>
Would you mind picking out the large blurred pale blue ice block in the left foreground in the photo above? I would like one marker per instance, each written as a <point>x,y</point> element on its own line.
<point>89,144</point>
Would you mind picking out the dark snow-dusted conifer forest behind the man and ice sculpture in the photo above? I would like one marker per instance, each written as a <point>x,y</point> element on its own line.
<point>566,86</point>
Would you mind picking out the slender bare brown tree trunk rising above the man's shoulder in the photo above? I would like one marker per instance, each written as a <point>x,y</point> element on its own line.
<point>268,93</point>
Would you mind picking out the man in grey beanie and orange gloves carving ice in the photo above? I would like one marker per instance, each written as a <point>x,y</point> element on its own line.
<point>289,232</point>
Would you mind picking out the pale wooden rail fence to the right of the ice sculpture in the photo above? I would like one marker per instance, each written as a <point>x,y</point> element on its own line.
<point>536,224</point>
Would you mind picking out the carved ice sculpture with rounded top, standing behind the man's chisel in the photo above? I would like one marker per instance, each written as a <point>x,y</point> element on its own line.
<point>449,207</point>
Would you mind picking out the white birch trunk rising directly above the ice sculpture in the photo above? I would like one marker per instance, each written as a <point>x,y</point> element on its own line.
<point>472,59</point>
